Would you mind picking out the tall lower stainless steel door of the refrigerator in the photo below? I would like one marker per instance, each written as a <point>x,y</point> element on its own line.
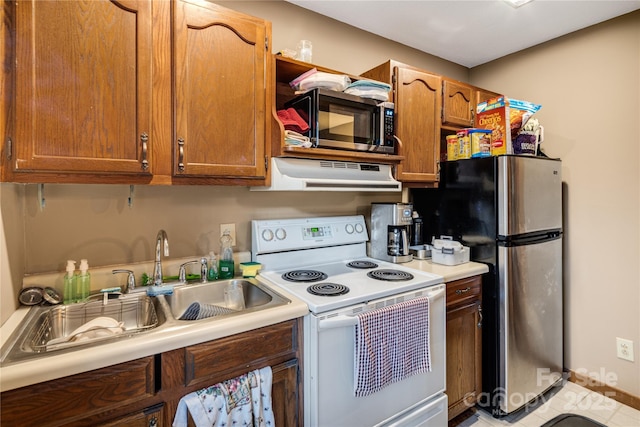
<point>530,321</point>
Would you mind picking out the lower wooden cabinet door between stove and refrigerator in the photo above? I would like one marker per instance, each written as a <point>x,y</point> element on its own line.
<point>464,357</point>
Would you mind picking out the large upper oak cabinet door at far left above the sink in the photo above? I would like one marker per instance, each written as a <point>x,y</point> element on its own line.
<point>83,86</point>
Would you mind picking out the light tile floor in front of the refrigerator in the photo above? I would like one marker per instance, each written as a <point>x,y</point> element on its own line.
<point>571,398</point>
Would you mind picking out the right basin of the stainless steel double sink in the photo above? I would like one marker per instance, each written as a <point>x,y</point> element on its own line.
<point>256,297</point>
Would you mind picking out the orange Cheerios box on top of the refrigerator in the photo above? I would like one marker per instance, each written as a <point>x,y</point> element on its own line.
<point>494,115</point>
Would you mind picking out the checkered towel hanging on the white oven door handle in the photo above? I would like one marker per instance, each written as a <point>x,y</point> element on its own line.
<point>392,343</point>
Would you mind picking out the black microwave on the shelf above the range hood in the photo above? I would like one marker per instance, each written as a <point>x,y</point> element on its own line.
<point>344,121</point>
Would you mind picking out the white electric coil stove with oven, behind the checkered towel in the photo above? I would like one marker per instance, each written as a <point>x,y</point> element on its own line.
<point>323,262</point>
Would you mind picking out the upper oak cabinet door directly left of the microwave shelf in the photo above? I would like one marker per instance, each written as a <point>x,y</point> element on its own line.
<point>220,92</point>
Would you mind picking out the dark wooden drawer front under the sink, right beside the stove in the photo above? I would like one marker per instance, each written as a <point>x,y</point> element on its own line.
<point>218,360</point>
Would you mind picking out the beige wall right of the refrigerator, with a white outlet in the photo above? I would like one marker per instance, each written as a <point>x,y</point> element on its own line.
<point>589,86</point>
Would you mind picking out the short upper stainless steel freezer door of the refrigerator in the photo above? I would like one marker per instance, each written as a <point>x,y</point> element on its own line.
<point>529,195</point>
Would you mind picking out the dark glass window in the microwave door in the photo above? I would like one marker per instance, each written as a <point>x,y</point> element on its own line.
<point>346,123</point>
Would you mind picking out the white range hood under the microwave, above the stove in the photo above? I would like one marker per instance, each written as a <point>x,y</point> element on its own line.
<point>291,174</point>
